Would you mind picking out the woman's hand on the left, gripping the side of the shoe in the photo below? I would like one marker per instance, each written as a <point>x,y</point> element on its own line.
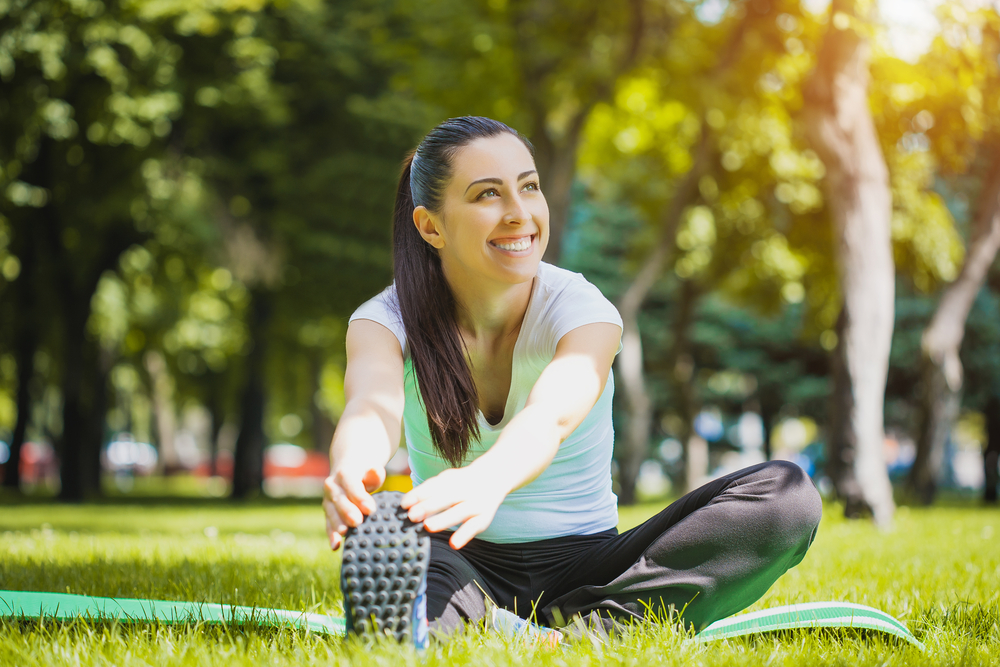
<point>347,498</point>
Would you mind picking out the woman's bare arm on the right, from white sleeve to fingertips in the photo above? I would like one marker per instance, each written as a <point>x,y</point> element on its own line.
<point>560,400</point>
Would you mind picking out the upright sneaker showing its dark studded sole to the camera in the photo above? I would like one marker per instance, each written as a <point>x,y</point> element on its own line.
<point>383,575</point>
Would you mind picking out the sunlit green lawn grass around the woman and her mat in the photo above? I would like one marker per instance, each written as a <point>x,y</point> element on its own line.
<point>938,571</point>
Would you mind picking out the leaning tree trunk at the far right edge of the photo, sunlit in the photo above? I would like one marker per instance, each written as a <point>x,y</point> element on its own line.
<point>942,340</point>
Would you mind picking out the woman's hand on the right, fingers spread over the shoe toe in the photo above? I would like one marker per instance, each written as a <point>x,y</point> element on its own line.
<point>465,496</point>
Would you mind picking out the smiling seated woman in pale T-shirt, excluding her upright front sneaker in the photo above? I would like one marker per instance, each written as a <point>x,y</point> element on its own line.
<point>499,367</point>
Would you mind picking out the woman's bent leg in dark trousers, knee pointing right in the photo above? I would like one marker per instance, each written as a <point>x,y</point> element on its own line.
<point>709,555</point>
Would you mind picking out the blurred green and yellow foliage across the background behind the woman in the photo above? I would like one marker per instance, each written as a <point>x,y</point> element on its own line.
<point>163,162</point>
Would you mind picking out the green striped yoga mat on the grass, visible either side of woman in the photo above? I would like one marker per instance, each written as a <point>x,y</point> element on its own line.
<point>65,607</point>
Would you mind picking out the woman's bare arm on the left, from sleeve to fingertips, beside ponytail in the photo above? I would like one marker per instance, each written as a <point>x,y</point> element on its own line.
<point>367,434</point>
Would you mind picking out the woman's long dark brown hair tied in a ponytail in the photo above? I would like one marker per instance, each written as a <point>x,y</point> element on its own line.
<point>426,302</point>
